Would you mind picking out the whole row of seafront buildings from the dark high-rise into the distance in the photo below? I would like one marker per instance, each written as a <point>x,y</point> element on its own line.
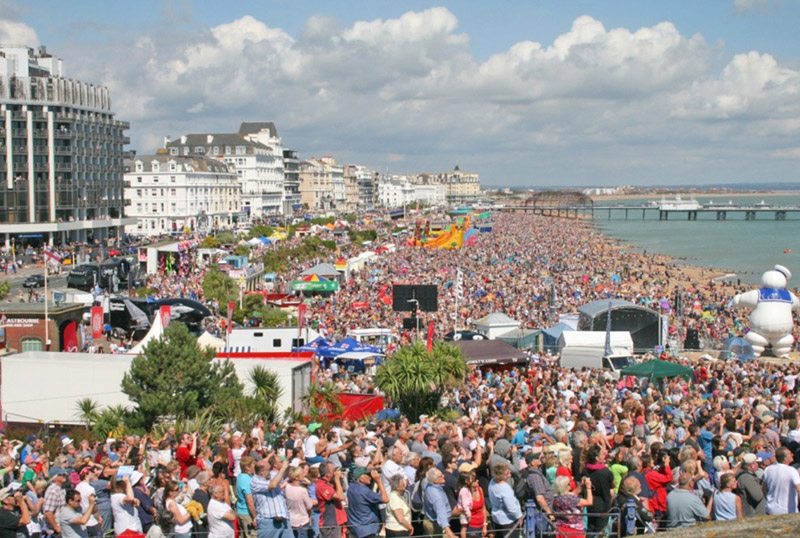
<point>65,174</point>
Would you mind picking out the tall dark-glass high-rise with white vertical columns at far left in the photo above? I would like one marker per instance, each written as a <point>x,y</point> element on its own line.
<point>61,153</point>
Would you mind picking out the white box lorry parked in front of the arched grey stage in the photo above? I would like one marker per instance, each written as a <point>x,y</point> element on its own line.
<point>587,349</point>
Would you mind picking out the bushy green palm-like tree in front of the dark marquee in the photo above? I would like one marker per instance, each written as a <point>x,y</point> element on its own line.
<point>414,378</point>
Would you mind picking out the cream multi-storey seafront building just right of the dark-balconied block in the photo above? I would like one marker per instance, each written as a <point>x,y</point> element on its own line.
<point>322,185</point>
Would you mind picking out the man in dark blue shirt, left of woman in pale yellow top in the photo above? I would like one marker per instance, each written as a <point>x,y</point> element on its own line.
<point>363,503</point>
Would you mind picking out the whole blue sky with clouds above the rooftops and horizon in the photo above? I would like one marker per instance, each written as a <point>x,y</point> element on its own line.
<point>536,93</point>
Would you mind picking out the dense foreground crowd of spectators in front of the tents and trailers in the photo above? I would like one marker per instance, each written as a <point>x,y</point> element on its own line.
<point>576,450</point>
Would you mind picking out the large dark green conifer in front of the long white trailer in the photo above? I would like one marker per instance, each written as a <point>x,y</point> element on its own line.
<point>174,378</point>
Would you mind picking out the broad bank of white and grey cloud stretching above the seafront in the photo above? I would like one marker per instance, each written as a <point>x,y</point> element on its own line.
<point>595,103</point>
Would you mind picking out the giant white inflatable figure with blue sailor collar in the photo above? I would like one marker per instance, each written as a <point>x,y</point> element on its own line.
<point>771,319</point>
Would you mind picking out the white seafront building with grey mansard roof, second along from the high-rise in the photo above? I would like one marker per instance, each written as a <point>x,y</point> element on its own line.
<point>258,167</point>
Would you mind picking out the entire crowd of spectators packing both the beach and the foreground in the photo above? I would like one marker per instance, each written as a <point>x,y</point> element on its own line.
<point>573,453</point>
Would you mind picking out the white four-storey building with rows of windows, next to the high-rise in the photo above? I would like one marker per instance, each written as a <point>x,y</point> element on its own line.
<point>173,193</point>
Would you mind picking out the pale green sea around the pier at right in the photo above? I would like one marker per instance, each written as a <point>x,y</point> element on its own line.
<point>746,248</point>
